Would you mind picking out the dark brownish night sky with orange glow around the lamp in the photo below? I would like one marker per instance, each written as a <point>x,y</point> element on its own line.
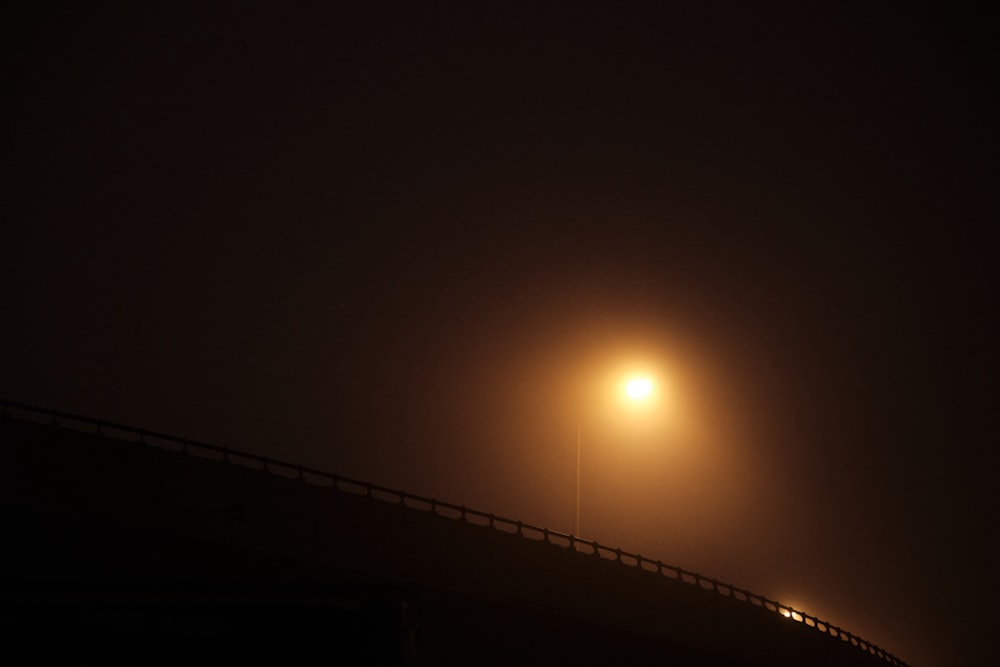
<point>410,244</point>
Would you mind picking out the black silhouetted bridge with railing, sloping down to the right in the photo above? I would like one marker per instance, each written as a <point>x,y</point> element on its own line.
<point>120,539</point>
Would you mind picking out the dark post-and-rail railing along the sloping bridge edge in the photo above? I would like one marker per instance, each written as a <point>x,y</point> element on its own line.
<point>441,508</point>
